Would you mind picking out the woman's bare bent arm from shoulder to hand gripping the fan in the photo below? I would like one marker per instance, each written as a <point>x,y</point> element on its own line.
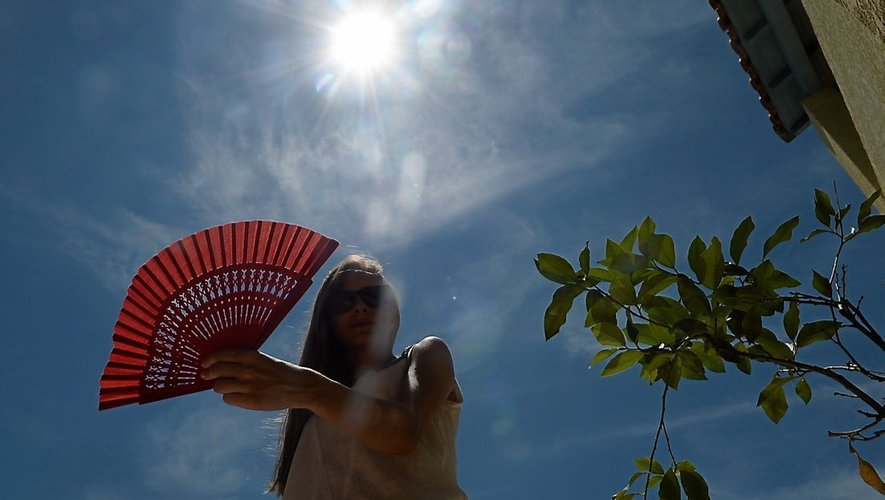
<point>253,380</point>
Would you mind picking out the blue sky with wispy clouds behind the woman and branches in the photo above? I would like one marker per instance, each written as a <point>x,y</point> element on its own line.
<point>507,128</point>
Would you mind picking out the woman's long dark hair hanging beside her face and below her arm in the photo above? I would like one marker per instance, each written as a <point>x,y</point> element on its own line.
<point>323,352</point>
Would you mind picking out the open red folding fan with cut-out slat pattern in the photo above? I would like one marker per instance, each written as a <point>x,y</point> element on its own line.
<point>224,287</point>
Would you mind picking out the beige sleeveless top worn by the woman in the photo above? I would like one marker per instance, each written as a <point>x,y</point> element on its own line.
<point>330,464</point>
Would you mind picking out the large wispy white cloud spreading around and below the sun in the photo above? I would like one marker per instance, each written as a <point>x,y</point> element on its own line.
<point>480,110</point>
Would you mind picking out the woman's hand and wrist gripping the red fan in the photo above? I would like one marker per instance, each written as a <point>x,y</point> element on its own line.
<point>255,381</point>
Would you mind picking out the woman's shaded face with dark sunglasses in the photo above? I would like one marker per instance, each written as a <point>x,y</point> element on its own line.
<point>363,313</point>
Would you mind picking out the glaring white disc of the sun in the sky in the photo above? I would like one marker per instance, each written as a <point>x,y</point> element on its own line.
<point>364,42</point>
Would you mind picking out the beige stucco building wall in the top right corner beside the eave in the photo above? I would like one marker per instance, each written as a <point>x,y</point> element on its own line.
<point>852,37</point>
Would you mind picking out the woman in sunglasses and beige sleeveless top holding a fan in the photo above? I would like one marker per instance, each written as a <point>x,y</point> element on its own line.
<point>361,422</point>
